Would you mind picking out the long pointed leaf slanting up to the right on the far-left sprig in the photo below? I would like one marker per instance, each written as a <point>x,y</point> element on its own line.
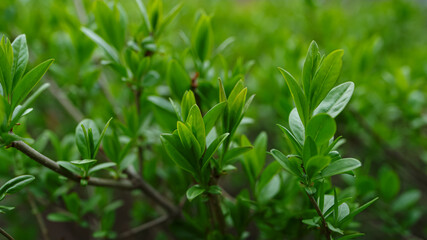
<point>29,81</point>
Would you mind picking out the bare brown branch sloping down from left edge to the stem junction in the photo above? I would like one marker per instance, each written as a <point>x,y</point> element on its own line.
<point>49,163</point>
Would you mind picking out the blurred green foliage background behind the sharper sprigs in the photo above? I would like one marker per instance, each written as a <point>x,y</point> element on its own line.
<point>385,45</point>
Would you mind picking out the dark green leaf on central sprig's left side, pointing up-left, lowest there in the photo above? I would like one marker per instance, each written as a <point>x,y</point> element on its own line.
<point>173,147</point>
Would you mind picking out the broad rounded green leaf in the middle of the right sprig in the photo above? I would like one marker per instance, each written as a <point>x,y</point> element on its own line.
<point>321,128</point>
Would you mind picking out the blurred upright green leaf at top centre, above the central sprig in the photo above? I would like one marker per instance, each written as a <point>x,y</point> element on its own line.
<point>202,39</point>
